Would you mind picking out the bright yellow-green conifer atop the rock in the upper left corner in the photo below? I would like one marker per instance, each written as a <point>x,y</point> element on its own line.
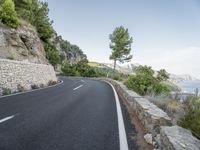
<point>8,14</point>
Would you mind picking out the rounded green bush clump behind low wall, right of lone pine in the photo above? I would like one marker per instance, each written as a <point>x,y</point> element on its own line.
<point>145,83</point>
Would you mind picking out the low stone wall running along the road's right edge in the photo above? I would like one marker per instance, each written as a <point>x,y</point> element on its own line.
<point>156,122</point>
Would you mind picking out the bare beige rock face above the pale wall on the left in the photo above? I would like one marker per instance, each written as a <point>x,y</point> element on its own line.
<point>21,44</point>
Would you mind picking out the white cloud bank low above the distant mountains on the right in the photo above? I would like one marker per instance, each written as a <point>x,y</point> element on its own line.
<point>182,61</point>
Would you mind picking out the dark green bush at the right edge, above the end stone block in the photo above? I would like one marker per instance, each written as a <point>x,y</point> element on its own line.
<point>191,120</point>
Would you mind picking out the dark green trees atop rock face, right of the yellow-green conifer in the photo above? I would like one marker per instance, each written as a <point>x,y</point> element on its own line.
<point>36,13</point>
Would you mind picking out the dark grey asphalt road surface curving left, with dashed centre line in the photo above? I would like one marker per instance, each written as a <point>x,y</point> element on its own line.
<point>79,114</point>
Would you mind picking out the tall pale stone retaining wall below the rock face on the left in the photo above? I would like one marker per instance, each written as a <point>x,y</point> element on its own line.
<point>15,73</point>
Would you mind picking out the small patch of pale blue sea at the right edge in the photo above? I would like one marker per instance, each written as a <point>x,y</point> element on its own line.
<point>190,87</point>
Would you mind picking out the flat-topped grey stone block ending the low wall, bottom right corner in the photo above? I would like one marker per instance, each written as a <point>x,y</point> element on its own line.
<point>177,138</point>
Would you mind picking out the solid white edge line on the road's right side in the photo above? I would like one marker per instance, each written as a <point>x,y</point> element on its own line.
<point>122,133</point>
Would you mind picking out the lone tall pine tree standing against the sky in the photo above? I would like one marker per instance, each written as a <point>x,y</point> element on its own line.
<point>120,45</point>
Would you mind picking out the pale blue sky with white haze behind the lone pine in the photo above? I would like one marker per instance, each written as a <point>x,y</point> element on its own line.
<point>166,33</point>
